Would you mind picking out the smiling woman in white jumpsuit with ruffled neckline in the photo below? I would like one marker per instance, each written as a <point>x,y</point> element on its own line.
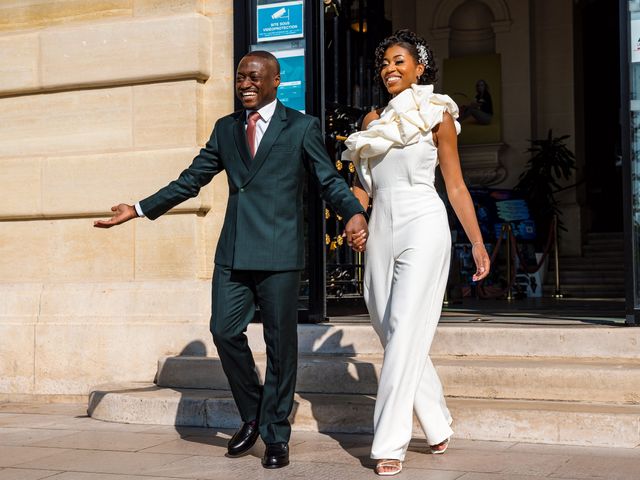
<point>408,250</point>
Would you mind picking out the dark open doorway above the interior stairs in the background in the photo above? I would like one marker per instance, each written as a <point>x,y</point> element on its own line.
<point>598,110</point>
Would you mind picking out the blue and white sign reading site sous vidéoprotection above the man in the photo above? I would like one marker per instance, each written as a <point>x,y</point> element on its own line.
<point>280,21</point>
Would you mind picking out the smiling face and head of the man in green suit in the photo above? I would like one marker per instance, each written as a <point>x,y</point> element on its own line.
<point>257,81</point>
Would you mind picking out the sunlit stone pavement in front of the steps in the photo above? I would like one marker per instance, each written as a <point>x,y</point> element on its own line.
<point>59,441</point>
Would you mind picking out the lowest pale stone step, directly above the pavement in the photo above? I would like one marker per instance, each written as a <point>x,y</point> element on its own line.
<point>572,423</point>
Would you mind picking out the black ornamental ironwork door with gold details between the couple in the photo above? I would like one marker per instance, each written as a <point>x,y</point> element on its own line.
<point>353,28</point>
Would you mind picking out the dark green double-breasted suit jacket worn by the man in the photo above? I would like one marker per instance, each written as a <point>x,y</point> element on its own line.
<point>263,225</point>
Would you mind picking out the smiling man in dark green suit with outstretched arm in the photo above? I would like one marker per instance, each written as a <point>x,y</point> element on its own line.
<point>260,252</point>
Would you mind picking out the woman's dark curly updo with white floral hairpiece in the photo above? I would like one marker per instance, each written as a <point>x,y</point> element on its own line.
<point>416,46</point>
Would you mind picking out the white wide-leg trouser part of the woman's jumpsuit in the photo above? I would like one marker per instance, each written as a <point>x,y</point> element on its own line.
<point>404,294</point>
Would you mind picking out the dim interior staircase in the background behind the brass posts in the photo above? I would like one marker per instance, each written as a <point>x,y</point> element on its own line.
<point>598,273</point>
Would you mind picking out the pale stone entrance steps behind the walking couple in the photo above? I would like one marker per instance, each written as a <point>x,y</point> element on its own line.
<point>563,385</point>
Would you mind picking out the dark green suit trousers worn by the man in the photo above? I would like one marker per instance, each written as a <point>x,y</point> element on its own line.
<point>235,295</point>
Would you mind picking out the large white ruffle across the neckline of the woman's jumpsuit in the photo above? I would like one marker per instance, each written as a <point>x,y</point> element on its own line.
<point>409,115</point>
